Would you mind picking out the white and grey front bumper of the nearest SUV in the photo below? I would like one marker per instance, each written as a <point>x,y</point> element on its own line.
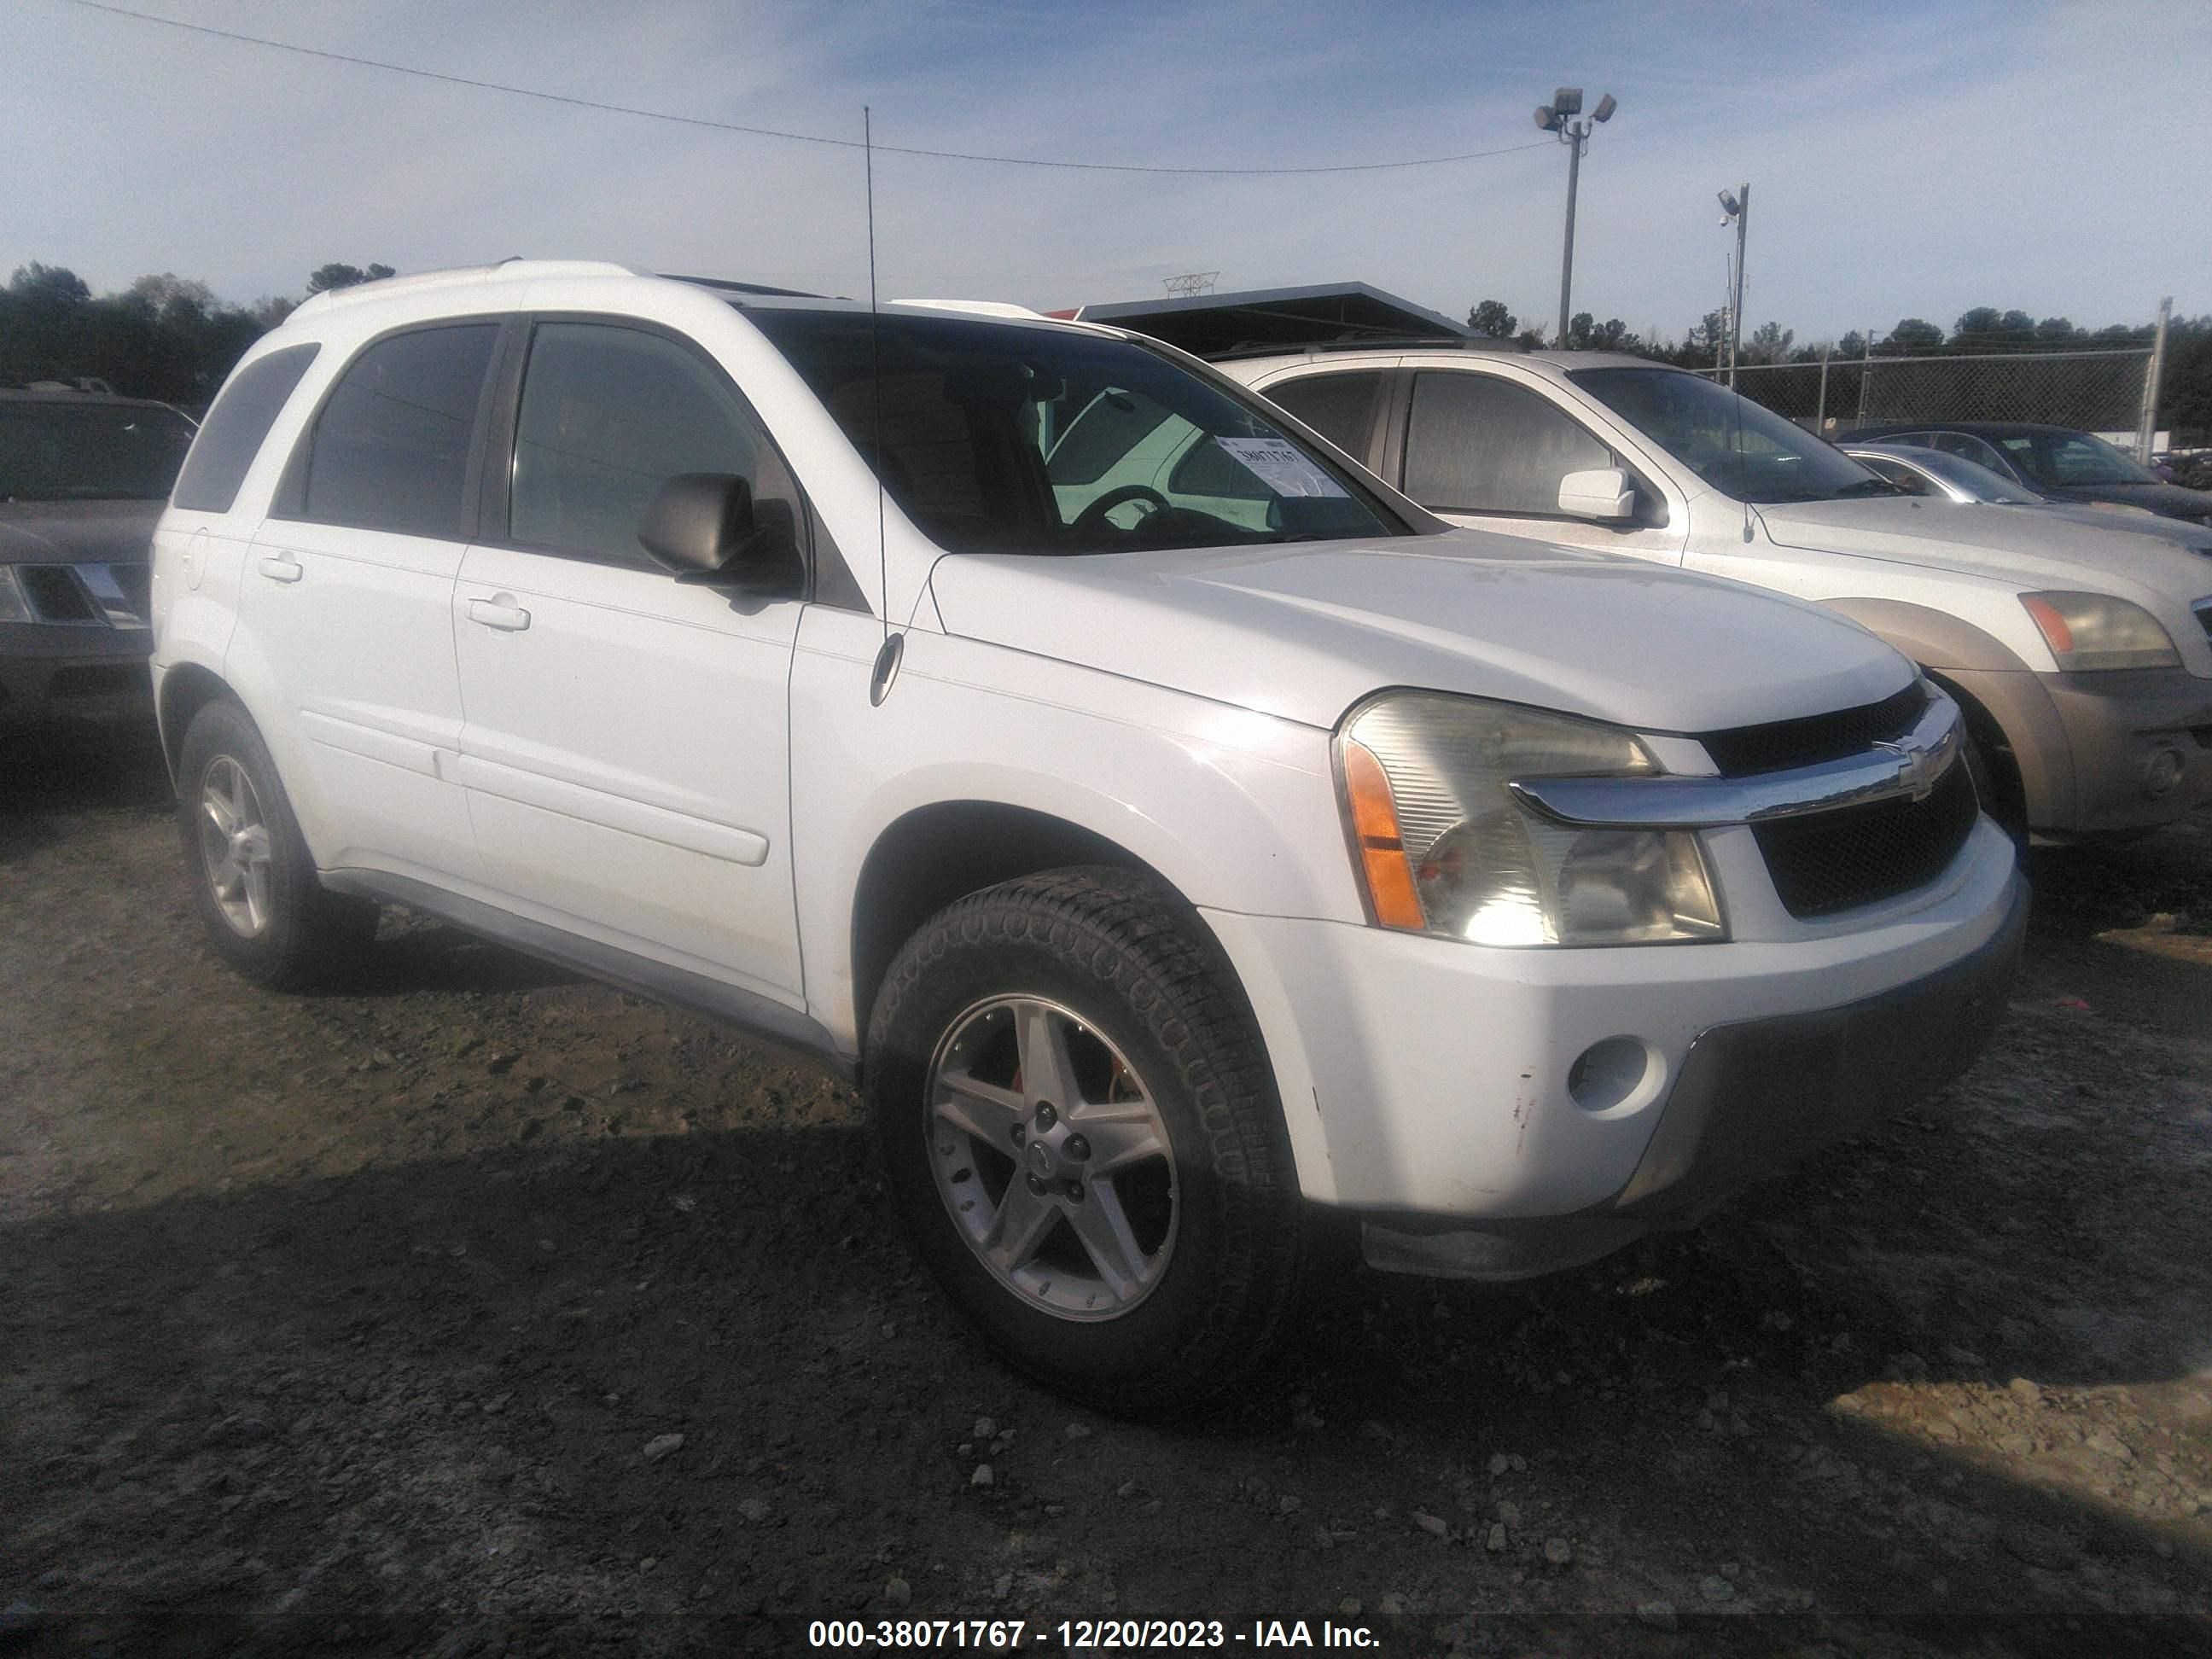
<point>1434,1085</point>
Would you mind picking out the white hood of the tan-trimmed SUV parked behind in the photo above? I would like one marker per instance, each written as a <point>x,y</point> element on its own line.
<point>2023,545</point>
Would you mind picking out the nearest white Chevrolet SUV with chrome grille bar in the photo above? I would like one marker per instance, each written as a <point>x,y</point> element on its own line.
<point>1169,866</point>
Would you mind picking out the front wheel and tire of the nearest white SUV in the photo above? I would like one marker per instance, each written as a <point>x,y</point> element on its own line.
<point>1154,1282</point>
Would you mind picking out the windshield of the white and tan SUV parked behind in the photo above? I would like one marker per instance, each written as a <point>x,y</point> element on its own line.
<point>1735,446</point>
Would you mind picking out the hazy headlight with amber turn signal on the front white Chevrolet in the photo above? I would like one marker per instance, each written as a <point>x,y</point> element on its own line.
<point>1443,848</point>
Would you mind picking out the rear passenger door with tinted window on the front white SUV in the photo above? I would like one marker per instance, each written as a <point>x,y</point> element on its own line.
<point>348,598</point>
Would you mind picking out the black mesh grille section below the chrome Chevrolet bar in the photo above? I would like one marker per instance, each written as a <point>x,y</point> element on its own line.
<point>1855,857</point>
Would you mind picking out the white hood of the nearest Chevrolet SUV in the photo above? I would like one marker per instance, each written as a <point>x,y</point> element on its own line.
<point>1308,629</point>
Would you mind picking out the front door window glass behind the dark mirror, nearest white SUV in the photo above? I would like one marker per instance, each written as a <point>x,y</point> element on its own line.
<point>609,415</point>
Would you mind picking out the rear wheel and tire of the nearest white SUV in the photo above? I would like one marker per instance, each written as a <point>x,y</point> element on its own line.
<point>253,879</point>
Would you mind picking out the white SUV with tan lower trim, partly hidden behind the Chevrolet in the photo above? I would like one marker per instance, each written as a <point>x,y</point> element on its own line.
<point>2083,658</point>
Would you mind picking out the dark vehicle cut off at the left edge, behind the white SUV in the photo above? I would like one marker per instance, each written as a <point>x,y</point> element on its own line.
<point>83,481</point>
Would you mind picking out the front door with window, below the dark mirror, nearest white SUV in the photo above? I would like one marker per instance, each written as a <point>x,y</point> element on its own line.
<point>627,738</point>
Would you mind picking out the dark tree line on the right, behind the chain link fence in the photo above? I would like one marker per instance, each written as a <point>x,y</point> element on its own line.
<point>1983,331</point>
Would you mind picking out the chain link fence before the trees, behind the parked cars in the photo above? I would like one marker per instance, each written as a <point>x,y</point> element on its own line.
<point>2087,390</point>
